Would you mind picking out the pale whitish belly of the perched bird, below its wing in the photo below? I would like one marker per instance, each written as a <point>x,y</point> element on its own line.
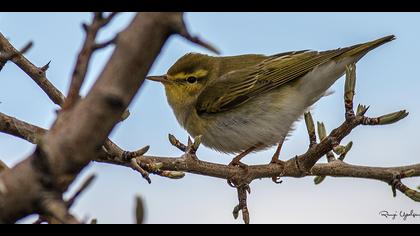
<point>264,121</point>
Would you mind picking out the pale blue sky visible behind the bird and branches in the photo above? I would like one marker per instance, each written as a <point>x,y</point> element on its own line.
<point>387,80</point>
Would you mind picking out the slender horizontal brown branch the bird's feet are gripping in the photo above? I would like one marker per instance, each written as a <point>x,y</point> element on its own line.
<point>334,168</point>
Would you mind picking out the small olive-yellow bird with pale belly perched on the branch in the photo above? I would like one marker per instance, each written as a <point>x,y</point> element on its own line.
<point>246,103</point>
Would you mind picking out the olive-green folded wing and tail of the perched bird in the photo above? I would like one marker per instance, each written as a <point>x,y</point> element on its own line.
<point>239,86</point>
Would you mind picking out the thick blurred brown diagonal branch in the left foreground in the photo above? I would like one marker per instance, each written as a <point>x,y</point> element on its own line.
<point>79,132</point>
